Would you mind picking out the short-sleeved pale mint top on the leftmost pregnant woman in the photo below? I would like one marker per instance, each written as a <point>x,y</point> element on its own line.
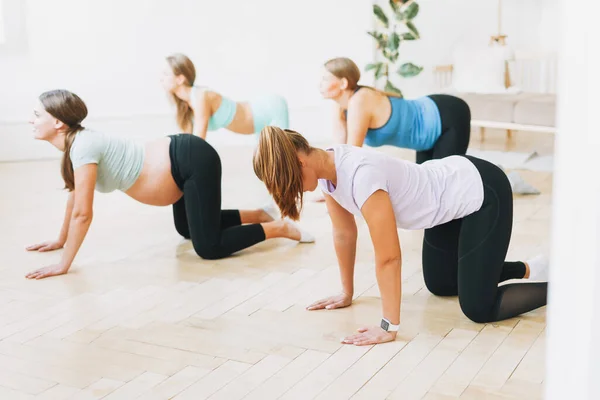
<point>120,160</point>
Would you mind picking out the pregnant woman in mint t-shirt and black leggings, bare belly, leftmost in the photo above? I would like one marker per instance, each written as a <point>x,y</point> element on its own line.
<point>179,170</point>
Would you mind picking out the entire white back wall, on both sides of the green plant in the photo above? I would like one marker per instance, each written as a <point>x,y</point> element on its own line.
<point>111,51</point>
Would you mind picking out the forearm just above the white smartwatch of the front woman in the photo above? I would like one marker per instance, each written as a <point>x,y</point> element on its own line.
<point>389,280</point>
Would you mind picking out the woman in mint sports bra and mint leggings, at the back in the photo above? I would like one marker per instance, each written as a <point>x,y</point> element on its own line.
<point>200,110</point>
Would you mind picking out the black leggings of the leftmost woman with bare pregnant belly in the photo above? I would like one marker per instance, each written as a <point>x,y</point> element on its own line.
<point>215,233</point>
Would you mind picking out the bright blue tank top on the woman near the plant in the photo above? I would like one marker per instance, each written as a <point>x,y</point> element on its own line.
<point>413,124</point>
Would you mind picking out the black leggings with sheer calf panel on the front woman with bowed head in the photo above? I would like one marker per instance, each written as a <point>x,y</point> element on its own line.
<point>465,257</point>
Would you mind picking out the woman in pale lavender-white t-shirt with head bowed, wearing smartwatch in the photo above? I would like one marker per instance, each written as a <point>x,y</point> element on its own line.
<point>464,204</point>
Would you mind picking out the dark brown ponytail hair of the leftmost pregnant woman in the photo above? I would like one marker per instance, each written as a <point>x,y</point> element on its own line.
<point>68,108</point>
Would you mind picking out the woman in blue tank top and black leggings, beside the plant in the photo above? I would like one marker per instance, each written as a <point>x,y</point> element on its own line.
<point>436,126</point>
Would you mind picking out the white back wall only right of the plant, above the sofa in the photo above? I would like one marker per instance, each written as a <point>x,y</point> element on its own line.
<point>531,25</point>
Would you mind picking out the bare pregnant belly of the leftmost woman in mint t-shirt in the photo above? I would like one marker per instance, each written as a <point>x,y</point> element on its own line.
<point>155,186</point>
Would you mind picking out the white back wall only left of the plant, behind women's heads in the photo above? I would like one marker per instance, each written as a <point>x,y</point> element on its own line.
<point>110,52</point>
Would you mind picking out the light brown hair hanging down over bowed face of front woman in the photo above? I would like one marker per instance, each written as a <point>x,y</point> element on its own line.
<point>277,165</point>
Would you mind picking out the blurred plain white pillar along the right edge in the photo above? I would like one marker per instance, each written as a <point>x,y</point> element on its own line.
<point>573,332</point>
